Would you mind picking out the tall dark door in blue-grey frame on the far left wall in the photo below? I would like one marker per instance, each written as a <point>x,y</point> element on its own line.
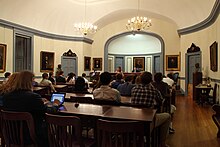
<point>22,52</point>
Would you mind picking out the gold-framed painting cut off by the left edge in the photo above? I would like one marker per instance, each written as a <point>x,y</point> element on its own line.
<point>2,57</point>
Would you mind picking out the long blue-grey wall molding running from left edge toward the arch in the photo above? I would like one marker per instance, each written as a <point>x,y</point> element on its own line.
<point>12,25</point>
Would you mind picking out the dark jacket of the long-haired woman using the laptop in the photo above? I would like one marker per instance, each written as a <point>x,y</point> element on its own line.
<point>28,101</point>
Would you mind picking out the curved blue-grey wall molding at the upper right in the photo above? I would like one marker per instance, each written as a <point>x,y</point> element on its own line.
<point>205,23</point>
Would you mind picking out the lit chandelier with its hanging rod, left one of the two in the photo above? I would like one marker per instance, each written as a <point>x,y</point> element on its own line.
<point>85,27</point>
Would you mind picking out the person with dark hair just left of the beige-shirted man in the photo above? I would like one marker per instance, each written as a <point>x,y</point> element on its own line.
<point>80,85</point>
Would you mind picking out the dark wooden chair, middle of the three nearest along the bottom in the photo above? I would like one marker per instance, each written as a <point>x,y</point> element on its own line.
<point>66,131</point>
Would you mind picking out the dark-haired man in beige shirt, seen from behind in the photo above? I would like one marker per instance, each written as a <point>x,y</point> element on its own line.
<point>105,91</point>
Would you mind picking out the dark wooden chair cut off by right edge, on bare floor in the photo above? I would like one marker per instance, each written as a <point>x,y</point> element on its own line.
<point>216,117</point>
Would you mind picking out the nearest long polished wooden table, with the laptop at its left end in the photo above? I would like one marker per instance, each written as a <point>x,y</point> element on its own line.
<point>95,112</point>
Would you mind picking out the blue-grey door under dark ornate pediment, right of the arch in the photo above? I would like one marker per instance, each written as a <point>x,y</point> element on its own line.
<point>191,66</point>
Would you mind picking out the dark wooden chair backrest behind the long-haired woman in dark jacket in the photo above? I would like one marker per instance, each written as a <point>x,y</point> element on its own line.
<point>18,128</point>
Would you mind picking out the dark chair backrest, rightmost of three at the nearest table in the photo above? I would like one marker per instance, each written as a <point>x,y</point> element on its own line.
<point>120,133</point>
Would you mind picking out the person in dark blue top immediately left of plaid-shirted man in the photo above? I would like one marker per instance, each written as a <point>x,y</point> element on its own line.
<point>125,88</point>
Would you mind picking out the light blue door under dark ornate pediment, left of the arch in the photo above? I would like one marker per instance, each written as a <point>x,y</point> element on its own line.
<point>69,64</point>
